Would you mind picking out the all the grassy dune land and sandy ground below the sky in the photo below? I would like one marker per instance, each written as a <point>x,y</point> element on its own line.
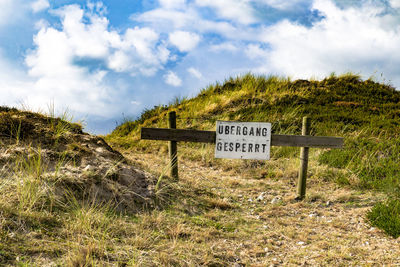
<point>220,212</point>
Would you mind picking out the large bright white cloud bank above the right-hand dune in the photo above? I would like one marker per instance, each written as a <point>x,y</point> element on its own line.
<point>350,39</point>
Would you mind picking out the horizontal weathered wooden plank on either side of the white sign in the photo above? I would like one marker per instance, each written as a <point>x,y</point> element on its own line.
<point>209,137</point>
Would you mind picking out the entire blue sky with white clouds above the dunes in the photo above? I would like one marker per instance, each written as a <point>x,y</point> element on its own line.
<point>105,60</point>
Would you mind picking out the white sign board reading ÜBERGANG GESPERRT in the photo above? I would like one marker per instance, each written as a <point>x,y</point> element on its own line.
<point>243,140</point>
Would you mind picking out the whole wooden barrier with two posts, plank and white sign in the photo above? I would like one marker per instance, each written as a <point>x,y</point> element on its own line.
<point>249,140</point>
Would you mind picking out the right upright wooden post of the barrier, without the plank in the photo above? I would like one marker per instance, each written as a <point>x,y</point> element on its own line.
<point>301,184</point>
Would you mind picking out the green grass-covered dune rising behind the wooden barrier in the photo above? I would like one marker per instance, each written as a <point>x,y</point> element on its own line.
<point>366,113</point>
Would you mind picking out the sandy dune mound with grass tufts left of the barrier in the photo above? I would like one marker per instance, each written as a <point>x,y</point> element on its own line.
<point>59,187</point>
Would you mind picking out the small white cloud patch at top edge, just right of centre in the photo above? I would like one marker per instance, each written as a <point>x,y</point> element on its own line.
<point>236,10</point>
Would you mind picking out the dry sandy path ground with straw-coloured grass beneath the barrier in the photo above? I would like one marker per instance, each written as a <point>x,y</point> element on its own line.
<point>328,228</point>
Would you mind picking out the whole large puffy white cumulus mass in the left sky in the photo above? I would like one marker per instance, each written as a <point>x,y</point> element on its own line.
<point>55,65</point>
